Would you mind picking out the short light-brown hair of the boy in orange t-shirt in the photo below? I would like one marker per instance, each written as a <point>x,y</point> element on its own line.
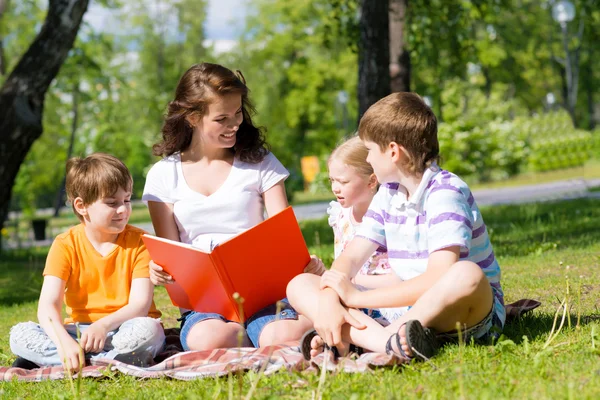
<point>94,177</point>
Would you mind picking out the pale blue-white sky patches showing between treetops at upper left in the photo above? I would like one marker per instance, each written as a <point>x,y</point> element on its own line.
<point>224,22</point>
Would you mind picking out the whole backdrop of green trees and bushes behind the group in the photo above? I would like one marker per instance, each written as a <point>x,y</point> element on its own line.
<point>487,65</point>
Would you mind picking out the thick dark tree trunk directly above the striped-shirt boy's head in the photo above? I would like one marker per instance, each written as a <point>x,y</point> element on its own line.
<point>373,53</point>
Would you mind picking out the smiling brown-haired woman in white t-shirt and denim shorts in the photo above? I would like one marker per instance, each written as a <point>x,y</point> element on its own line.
<point>215,181</point>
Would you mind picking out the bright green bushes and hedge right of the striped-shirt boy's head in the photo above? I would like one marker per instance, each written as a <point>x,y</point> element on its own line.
<point>490,138</point>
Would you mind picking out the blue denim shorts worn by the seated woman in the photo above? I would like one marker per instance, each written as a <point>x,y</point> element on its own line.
<point>254,325</point>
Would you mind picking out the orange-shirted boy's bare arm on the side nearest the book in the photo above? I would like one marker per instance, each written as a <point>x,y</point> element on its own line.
<point>140,299</point>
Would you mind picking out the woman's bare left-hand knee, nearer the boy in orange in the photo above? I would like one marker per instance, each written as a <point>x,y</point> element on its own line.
<point>214,333</point>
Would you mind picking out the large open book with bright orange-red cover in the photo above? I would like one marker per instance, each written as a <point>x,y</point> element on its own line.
<point>258,264</point>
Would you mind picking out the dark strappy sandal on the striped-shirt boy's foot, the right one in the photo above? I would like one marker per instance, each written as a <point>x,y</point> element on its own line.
<point>422,342</point>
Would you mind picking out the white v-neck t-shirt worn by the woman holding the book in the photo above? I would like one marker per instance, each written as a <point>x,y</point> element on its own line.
<point>205,221</point>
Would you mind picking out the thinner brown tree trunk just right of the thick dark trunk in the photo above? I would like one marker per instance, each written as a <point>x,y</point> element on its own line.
<point>399,55</point>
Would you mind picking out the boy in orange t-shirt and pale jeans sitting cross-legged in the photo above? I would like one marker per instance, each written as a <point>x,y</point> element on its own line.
<point>101,268</point>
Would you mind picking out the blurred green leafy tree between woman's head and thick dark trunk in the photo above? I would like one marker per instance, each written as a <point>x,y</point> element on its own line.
<point>307,65</point>
